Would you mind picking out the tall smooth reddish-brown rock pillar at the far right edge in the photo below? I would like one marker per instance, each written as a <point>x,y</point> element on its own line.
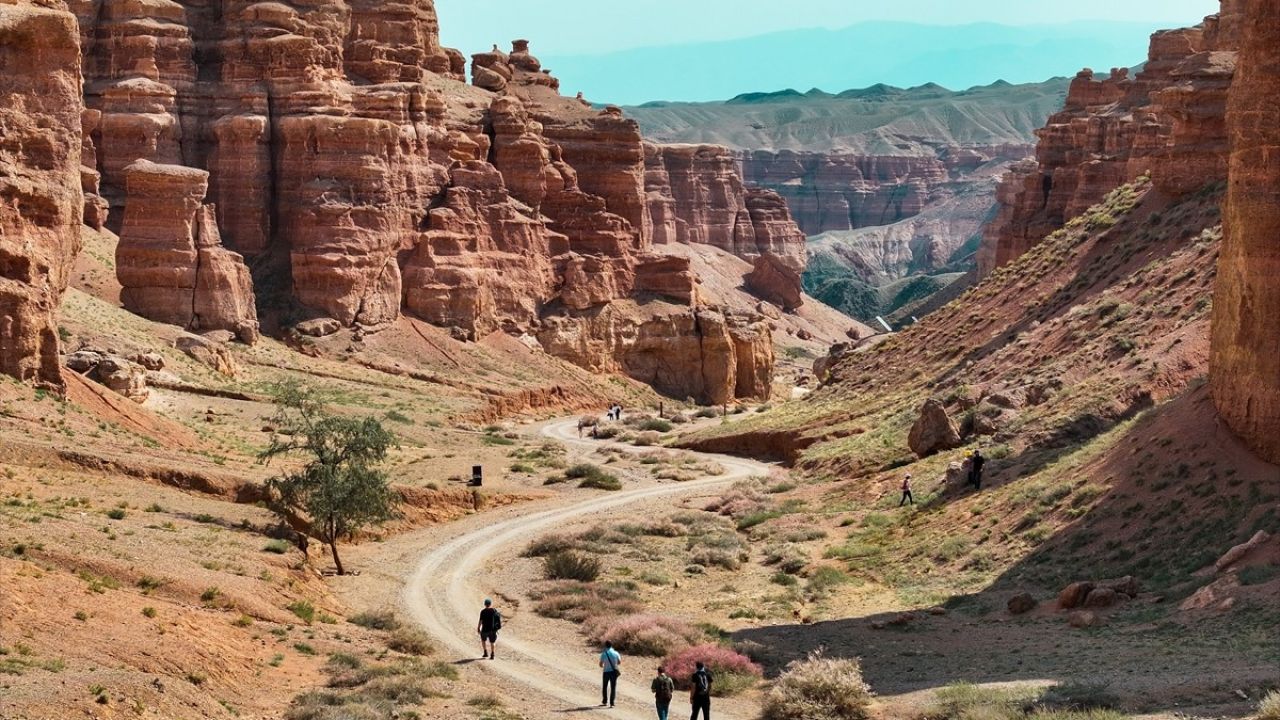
<point>1246,352</point>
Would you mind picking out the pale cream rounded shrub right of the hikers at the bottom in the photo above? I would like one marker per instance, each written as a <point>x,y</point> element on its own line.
<point>819,689</point>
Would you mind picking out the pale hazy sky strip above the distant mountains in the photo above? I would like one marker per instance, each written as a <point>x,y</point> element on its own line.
<point>565,28</point>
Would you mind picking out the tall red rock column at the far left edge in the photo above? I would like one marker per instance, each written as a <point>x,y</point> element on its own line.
<point>42,202</point>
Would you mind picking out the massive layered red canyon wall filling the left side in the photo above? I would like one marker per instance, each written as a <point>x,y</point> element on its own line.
<point>330,158</point>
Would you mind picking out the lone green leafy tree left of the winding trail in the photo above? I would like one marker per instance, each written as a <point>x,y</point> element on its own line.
<point>340,489</point>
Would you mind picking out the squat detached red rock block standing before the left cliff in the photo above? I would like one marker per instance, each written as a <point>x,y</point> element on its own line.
<point>171,262</point>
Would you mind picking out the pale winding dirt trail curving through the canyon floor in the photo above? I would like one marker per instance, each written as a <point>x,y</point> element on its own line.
<point>447,577</point>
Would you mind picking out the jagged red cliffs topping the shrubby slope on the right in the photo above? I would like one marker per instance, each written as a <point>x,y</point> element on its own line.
<point>1167,122</point>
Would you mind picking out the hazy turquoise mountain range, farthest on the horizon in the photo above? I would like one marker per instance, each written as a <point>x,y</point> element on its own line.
<point>894,53</point>
